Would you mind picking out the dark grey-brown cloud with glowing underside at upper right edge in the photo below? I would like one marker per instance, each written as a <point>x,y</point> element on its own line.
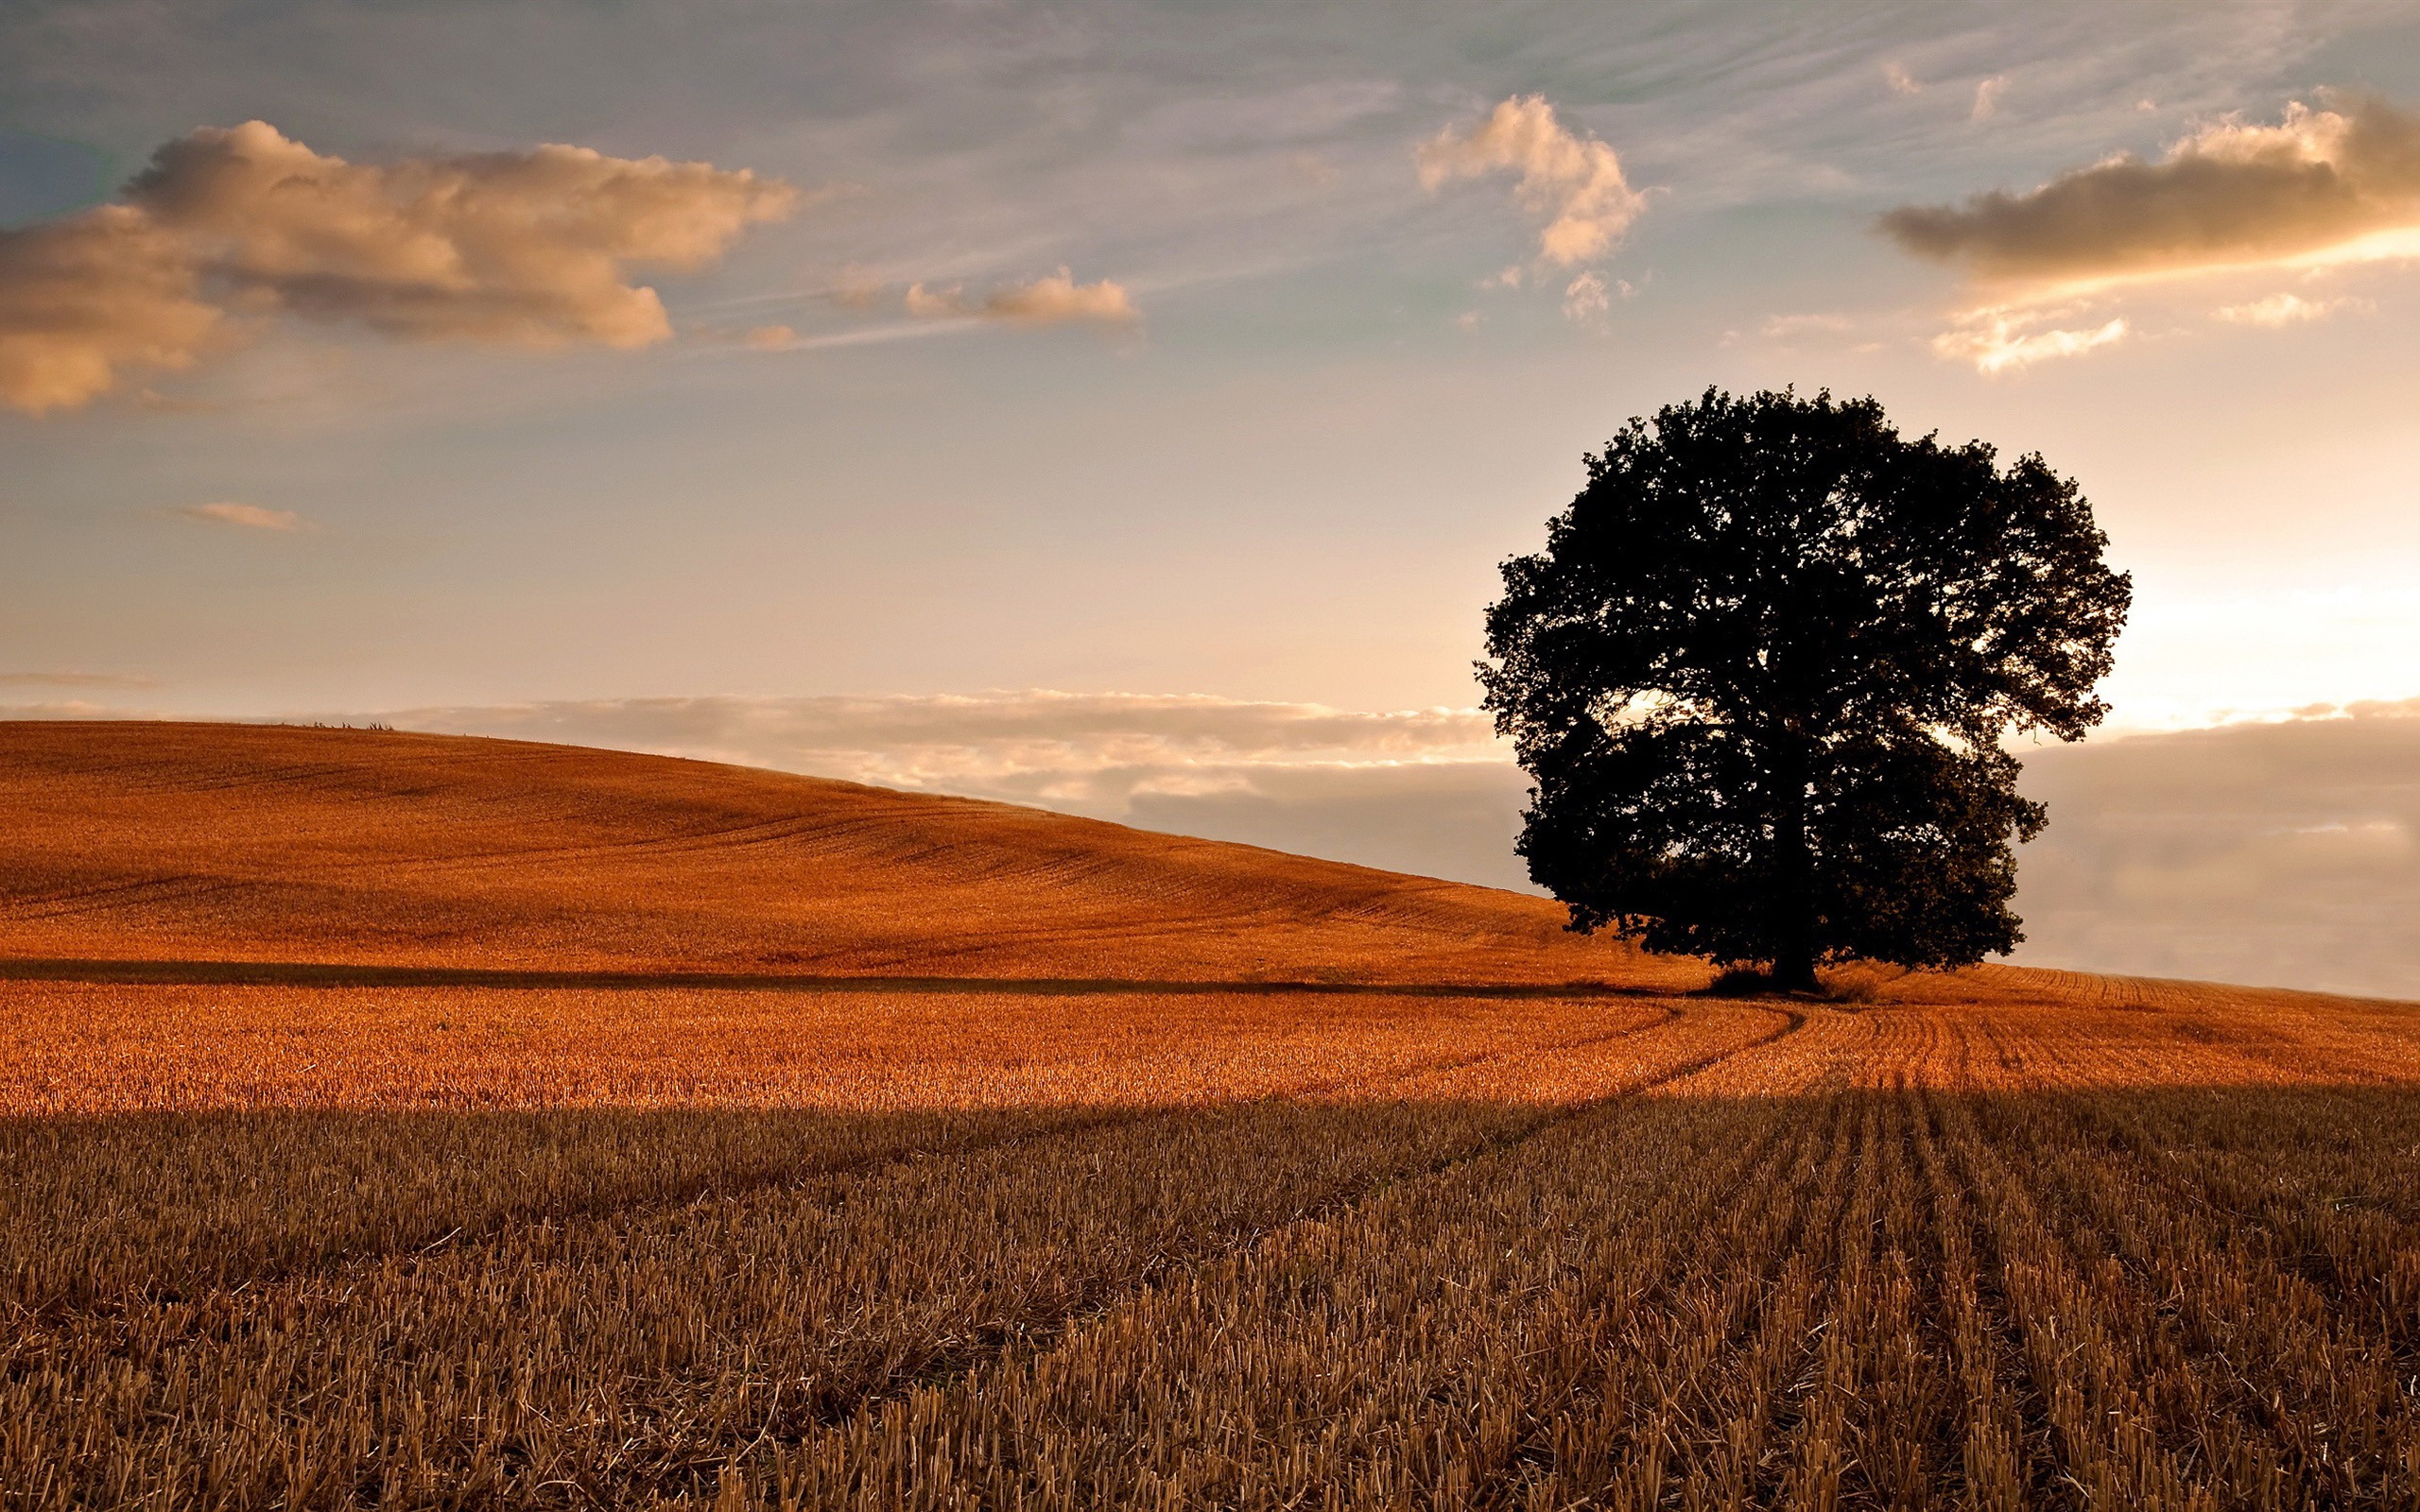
<point>2324,185</point>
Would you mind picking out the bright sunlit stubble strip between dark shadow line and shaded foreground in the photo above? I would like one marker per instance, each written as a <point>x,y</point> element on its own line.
<point>103,1049</point>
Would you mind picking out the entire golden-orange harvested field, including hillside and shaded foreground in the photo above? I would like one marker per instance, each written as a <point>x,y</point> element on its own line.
<point>401,1121</point>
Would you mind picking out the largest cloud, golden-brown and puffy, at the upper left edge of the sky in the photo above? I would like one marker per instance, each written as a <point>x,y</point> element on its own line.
<point>512,248</point>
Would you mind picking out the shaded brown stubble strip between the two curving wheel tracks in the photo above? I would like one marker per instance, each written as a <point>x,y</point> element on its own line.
<point>546,1354</point>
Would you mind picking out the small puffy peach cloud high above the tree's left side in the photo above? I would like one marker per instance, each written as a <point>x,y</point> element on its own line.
<point>1577,183</point>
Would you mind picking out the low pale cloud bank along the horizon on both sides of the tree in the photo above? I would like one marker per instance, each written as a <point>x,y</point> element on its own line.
<point>2257,853</point>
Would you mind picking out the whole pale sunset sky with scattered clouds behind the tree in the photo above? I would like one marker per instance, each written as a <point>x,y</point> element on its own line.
<point>1127,408</point>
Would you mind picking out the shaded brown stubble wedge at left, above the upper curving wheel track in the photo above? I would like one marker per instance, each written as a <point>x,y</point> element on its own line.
<point>110,1213</point>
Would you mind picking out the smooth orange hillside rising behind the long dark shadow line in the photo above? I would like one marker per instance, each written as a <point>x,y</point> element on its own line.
<point>374,848</point>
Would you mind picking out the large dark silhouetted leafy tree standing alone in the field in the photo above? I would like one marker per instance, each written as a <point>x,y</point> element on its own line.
<point>1763,671</point>
